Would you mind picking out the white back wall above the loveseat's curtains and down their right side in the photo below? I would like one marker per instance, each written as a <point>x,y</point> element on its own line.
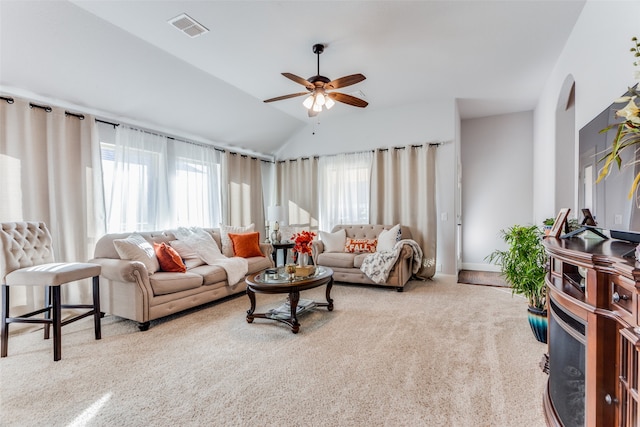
<point>434,121</point>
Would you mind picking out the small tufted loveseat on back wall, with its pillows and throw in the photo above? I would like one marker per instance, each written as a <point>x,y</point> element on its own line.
<point>347,264</point>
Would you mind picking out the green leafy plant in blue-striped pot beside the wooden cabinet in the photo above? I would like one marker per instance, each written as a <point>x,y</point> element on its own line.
<point>523,265</point>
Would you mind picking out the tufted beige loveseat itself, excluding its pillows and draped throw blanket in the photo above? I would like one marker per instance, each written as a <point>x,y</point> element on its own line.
<point>346,266</point>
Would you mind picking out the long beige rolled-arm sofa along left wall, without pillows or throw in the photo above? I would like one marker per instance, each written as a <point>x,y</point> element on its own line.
<point>127,290</point>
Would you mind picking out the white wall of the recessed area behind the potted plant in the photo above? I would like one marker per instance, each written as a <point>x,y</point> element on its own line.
<point>497,183</point>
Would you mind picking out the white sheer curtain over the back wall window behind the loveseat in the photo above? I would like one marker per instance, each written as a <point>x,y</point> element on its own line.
<point>343,189</point>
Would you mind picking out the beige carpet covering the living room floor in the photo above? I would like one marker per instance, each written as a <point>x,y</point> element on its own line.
<point>440,353</point>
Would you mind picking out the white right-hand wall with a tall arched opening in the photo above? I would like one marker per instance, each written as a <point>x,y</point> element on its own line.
<point>597,56</point>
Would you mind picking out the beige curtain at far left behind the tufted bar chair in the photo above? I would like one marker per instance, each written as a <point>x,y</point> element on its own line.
<point>47,165</point>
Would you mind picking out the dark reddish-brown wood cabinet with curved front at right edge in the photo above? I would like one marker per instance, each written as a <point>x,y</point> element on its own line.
<point>594,338</point>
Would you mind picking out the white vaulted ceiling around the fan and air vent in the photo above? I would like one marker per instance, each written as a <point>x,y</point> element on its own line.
<point>122,60</point>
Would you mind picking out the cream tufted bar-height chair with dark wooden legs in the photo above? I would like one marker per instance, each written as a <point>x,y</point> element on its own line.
<point>26,259</point>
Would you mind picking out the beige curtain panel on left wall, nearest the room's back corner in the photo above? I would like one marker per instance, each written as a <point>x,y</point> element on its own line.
<point>242,191</point>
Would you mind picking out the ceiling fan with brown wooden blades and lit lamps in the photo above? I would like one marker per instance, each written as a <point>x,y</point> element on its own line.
<point>318,88</point>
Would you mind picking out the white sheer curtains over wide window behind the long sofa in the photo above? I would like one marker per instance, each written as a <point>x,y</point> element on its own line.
<point>153,182</point>
